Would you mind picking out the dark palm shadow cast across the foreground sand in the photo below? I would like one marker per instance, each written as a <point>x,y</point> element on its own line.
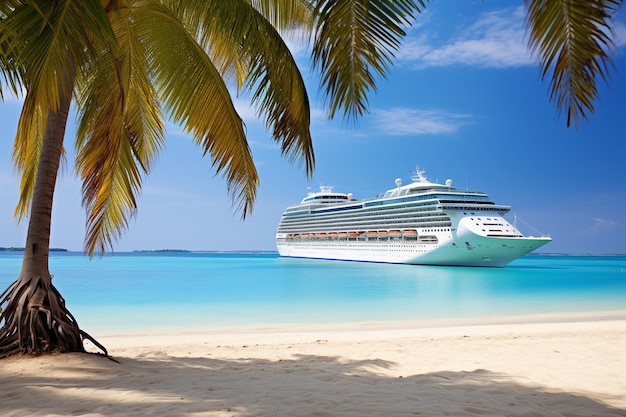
<point>305,385</point>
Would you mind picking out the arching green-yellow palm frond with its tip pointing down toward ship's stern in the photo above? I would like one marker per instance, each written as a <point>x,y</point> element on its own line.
<point>241,34</point>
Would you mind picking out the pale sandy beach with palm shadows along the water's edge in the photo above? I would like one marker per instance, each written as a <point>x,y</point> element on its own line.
<point>570,366</point>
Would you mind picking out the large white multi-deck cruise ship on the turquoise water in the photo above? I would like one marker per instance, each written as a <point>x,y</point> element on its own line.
<point>422,223</point>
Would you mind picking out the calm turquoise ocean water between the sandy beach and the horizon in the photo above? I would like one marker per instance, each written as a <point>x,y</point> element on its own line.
<point>151,291</point>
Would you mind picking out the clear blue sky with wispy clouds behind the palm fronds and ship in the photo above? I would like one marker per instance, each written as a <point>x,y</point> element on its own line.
<point>464,100</point>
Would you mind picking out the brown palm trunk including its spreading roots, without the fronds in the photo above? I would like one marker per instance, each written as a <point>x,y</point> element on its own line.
<point>35,319</point>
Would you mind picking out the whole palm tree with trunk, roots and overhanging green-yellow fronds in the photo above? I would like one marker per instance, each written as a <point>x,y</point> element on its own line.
<point>125,63</point>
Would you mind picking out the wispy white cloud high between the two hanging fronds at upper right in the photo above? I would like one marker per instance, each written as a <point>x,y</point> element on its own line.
<point>496,40</point>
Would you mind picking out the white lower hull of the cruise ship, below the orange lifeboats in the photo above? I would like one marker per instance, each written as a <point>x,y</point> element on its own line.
<point>469,251</point>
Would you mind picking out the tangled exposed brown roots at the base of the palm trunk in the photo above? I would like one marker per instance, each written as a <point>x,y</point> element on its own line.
<point>35,321</point>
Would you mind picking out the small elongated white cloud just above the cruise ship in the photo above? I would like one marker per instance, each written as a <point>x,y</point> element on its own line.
<point>402,121</point>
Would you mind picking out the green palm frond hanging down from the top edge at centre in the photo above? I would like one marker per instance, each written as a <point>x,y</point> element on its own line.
<point>354,43</point>
